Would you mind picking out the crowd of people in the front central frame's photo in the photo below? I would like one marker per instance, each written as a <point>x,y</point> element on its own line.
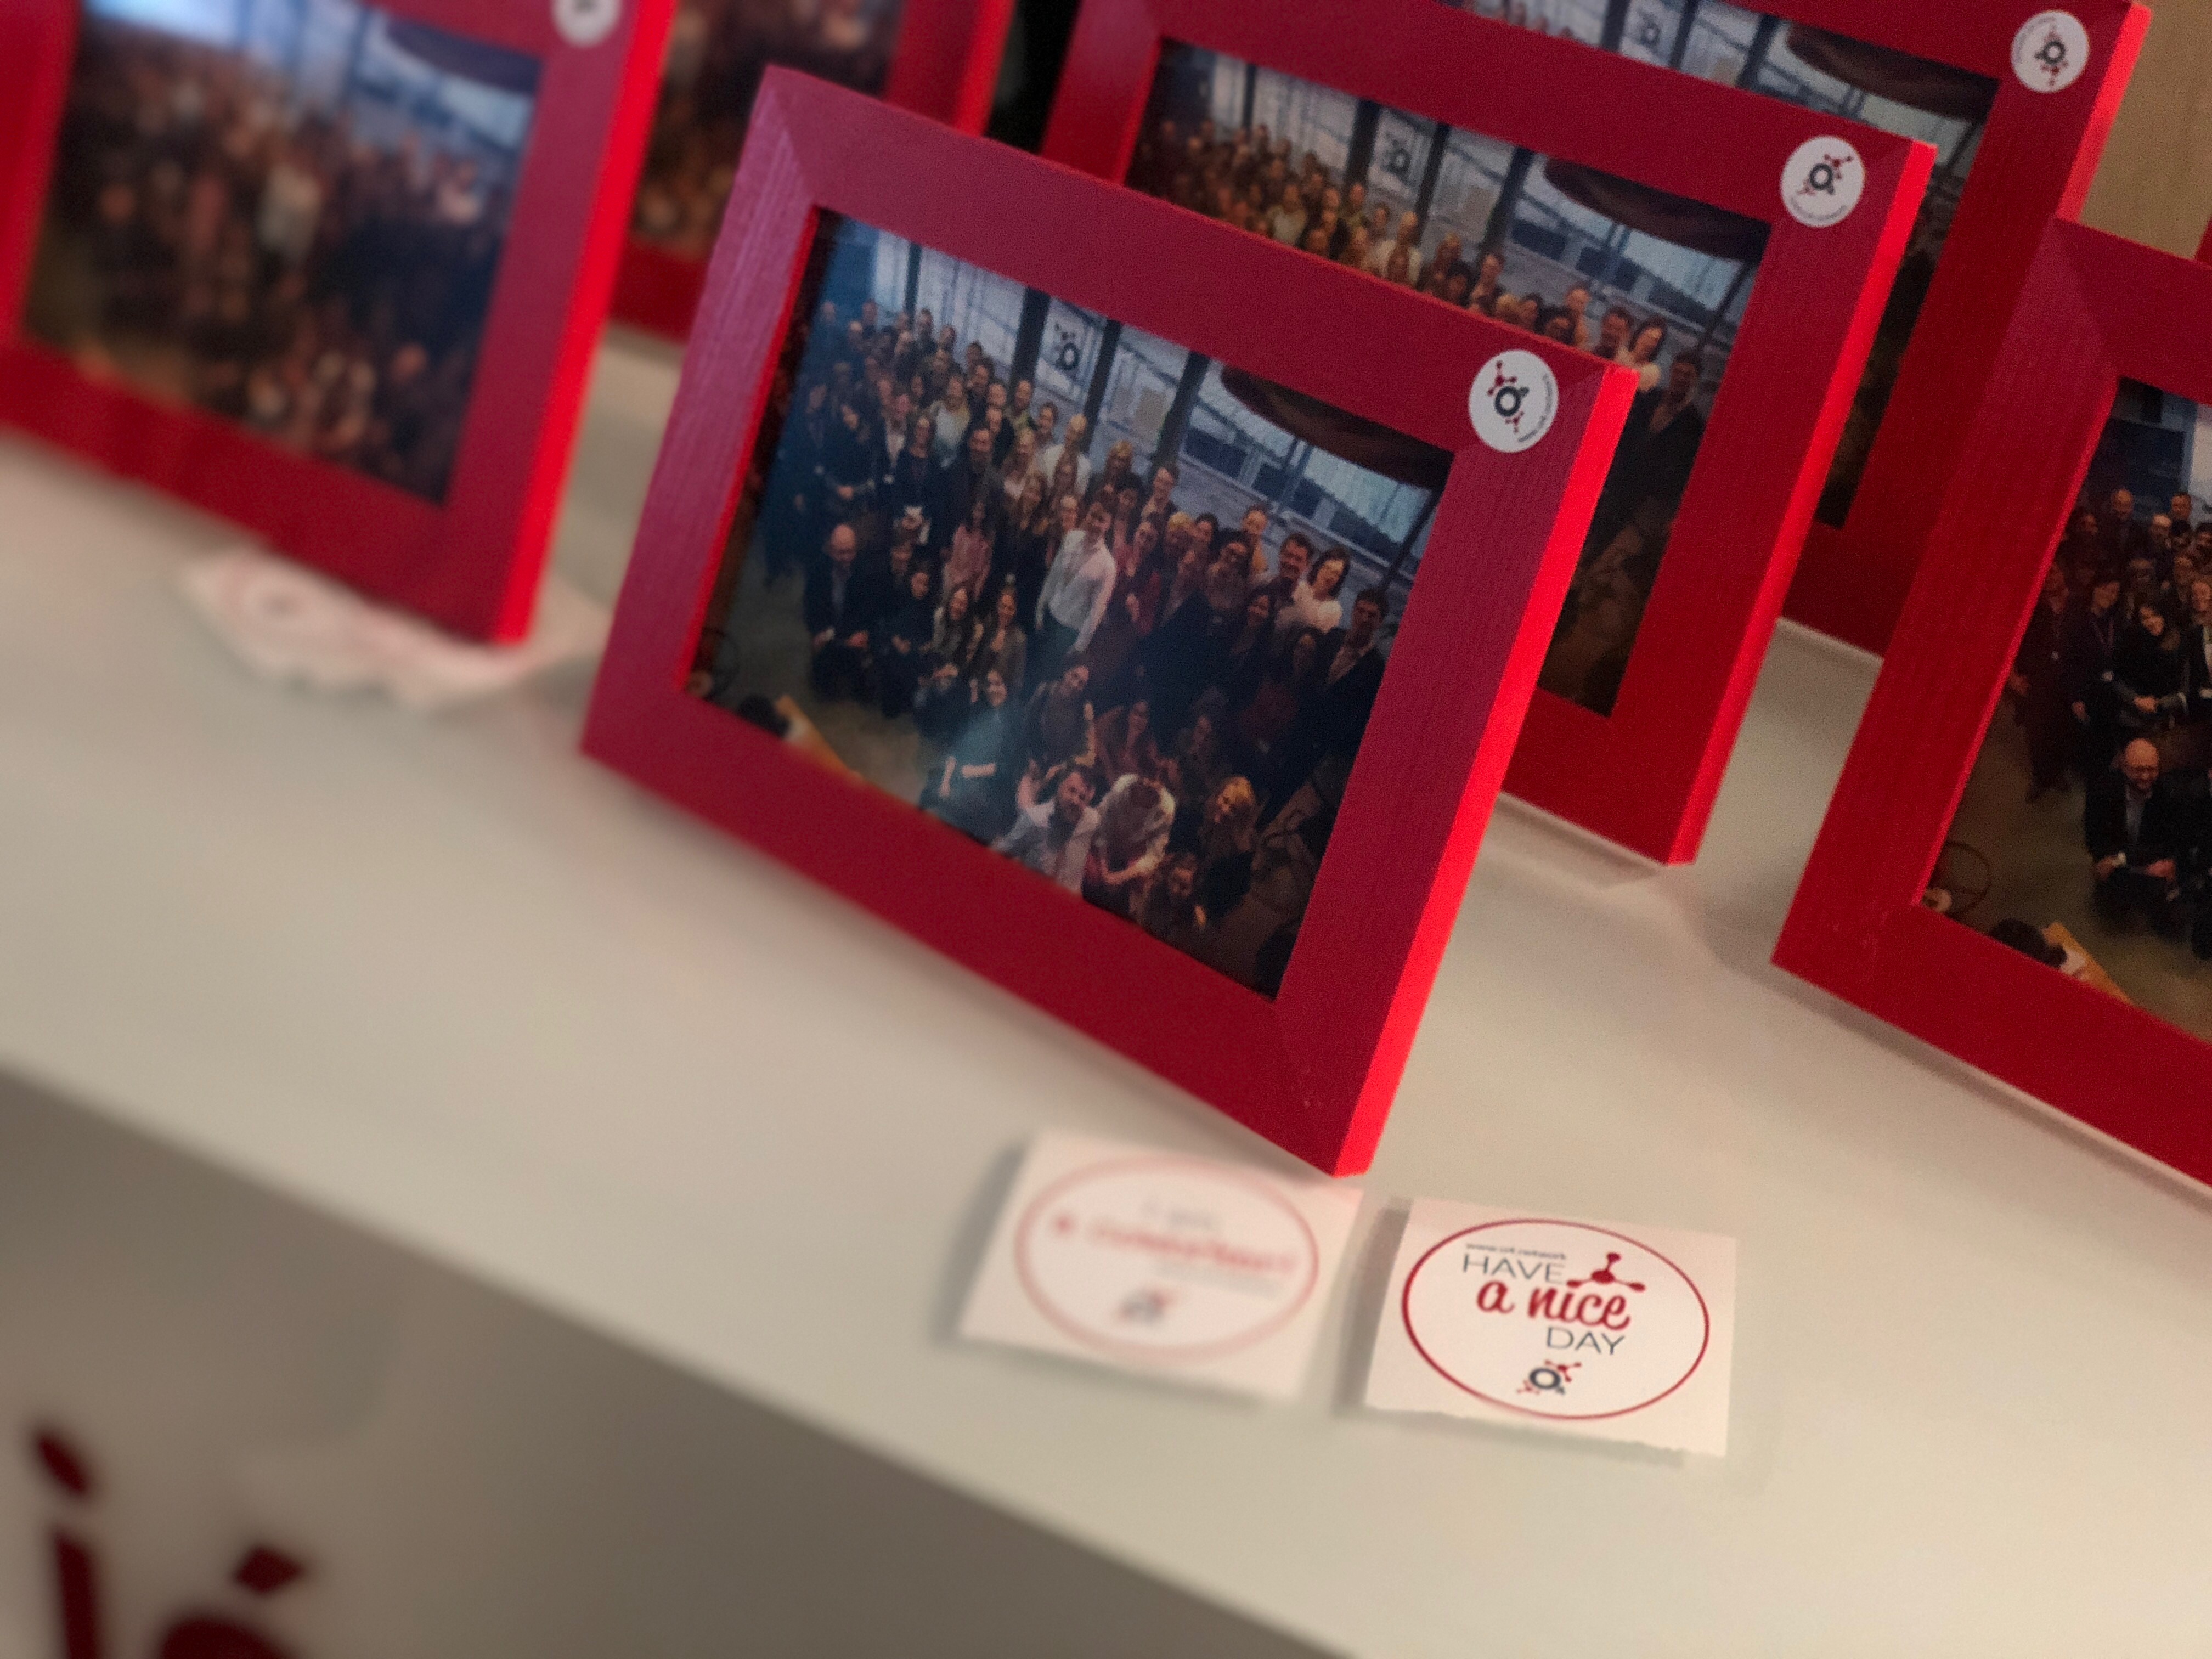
<point>1151,707</point>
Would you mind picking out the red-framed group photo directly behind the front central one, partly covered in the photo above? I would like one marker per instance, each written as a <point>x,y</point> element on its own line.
<point>1514,176</point>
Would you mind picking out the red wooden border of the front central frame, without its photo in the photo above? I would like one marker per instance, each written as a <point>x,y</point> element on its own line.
<point>1315,1067</point>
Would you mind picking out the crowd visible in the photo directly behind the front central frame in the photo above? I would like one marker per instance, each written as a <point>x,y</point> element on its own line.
<point>1255,182</point>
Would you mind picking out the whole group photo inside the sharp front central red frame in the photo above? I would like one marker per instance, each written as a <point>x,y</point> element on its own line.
<point>1070,589</point>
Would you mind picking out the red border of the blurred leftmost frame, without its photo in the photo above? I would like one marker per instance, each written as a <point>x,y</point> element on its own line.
<point>470,563</point>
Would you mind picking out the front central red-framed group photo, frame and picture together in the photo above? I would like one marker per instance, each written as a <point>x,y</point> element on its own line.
<point>1052,574</point>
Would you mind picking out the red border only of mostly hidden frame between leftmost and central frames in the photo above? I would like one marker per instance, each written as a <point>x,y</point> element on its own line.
<point>946,67</point>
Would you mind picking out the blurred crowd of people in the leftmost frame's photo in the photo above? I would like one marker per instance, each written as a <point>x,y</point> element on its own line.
<point>218,242</point>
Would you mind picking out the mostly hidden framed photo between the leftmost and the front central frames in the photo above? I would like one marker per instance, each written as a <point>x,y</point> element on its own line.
<point>932,56</point>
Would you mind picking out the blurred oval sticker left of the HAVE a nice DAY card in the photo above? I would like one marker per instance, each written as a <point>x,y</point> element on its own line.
<point>1160,1260</point>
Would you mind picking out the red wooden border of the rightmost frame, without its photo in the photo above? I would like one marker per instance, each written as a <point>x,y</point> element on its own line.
<point>2094,311</point>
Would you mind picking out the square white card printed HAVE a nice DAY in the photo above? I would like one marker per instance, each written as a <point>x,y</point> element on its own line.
<point>1589,1328</point>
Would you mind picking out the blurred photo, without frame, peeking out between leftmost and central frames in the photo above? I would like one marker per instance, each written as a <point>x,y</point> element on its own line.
<point>718,52</point>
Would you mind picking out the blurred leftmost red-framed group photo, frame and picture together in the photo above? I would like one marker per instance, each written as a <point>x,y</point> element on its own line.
<point>328,269</point>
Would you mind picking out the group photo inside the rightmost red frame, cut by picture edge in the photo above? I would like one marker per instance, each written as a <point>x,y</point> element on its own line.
<point>2085,835</point>
